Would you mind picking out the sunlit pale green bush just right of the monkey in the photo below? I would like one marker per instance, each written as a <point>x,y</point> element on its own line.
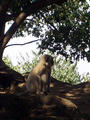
<point>65,71</point>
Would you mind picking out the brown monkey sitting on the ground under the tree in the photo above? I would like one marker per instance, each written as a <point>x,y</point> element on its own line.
<point>38,80</point>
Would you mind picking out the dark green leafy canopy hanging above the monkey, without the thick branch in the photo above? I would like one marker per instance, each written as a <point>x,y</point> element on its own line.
<point>63,29</point>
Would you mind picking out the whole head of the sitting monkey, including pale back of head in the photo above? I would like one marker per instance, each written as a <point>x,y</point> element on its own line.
<point>47,59</point>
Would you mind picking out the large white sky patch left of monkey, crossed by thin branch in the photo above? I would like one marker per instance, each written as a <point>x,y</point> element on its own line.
<point>15,52</point>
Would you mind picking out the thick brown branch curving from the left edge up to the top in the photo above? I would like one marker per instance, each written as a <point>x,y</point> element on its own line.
<point>32,8</point>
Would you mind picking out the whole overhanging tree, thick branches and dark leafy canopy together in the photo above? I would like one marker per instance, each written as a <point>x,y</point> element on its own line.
<point>63,28</point>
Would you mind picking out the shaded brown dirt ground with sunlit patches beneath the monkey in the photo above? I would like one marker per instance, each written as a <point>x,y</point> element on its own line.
<point>64,102</point>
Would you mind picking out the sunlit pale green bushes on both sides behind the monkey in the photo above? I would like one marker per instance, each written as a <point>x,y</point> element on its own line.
<point>62,70</point>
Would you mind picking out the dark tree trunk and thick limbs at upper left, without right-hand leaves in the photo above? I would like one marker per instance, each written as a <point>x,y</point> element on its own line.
<point>18,11</point>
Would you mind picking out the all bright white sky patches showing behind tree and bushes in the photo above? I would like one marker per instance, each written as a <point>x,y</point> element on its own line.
<point>15,52</point>
